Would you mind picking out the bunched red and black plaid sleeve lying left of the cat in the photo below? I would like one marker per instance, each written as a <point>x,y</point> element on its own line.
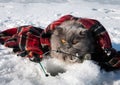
<point>27,39</point>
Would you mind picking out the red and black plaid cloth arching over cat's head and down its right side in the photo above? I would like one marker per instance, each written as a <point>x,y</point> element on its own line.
<point>100,34</point>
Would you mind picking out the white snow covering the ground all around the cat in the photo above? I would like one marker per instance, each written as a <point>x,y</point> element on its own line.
<point>15,70</point>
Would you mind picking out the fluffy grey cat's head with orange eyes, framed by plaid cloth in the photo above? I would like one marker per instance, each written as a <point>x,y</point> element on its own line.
<point>72,42</point>
